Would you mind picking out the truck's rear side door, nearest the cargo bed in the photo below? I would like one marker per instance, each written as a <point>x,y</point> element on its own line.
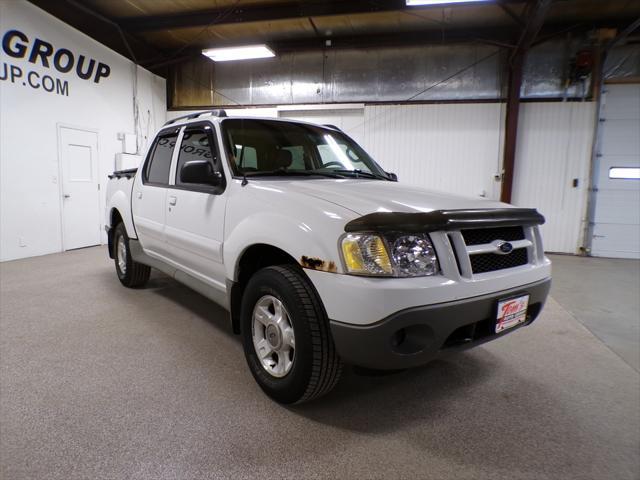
<point>149,201</point>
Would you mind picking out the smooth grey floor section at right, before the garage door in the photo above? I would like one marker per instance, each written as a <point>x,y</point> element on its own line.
<point>604,294</point>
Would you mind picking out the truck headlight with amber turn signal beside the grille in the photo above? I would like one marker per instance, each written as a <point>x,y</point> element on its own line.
<point>399,255</point>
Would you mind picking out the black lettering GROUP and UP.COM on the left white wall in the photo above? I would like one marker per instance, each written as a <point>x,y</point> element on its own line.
<point>17,45</point>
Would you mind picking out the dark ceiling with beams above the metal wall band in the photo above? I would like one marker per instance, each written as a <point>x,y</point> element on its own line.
<point>159,33</point>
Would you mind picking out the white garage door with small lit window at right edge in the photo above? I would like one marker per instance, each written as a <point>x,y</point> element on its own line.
<point>616,231</point>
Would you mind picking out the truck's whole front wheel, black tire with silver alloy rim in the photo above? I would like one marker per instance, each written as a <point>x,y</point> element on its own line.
<point>286,336</point>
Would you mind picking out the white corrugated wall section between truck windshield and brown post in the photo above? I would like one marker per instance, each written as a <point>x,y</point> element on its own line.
<point>450,147</point>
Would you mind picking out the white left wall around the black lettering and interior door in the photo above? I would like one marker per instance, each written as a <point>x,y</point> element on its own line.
<point>30,187</point>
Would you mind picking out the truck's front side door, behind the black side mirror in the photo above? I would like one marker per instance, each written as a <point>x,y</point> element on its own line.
<point>195,213</point>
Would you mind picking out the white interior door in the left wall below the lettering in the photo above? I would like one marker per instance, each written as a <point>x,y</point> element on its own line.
<point>80,188</point>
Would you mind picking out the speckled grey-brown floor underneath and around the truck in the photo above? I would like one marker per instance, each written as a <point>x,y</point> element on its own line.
<point>98,381</point>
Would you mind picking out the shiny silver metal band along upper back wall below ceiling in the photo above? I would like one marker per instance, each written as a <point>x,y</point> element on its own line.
<point>390,74</point>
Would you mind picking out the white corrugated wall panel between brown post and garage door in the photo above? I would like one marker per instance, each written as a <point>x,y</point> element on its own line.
<point>554,149</point>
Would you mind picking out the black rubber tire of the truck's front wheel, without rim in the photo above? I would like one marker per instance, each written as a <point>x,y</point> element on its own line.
<point>316,365</point>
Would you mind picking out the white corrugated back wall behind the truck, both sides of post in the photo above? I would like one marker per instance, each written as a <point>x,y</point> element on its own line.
<point>457,148</point>
